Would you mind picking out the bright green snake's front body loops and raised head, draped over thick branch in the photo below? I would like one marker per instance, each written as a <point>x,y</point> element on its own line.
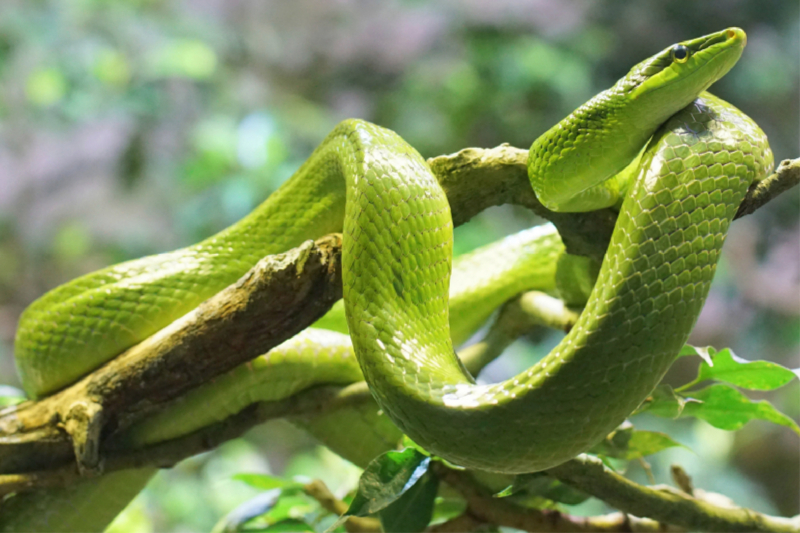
<point>675,160</point>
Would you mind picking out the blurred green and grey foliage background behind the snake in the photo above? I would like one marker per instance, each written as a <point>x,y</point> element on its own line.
<point>132,127</point>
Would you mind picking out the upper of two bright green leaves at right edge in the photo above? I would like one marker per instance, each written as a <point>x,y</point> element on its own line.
<point>753,375</point>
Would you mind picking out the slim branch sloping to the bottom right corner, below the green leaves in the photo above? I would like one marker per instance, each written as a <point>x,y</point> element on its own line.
<point>664,503</point>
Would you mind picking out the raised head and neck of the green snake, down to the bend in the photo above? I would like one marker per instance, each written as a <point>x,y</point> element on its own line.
<point>570,165</point>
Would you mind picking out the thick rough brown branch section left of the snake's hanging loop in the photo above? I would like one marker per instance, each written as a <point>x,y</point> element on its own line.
<point>279,297</point>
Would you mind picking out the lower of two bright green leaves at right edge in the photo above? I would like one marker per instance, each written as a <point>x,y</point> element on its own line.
<point>726,408</point>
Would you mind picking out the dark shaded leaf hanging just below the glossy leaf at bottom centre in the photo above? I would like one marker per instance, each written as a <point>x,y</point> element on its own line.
<point>414,509</point>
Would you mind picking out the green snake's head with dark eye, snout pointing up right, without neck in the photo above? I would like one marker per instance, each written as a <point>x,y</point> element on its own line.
<point>674,77</point>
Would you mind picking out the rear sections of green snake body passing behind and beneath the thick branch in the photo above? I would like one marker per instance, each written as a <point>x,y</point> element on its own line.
<point>482,280</point>
